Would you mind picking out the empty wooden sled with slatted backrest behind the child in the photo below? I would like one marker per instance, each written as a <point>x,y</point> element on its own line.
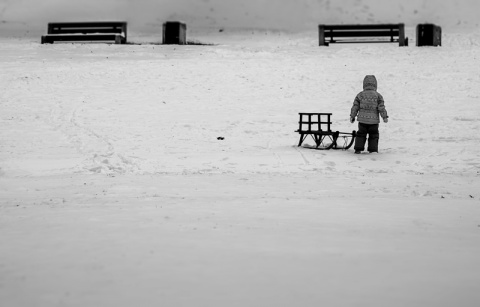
<point>318,126</point>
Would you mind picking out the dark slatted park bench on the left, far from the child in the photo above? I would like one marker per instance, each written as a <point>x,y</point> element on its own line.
<point>86,31</point>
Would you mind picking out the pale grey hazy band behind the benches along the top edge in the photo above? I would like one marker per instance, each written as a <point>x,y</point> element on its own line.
<point>278,14</point>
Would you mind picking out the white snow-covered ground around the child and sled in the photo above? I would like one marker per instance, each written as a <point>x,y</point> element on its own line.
<point>116,191</point>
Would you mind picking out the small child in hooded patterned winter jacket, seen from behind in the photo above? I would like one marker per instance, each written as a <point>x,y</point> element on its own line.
<point>367,107</point>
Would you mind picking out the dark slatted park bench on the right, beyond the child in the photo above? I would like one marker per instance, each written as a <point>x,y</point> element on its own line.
<point>372,34</point>
